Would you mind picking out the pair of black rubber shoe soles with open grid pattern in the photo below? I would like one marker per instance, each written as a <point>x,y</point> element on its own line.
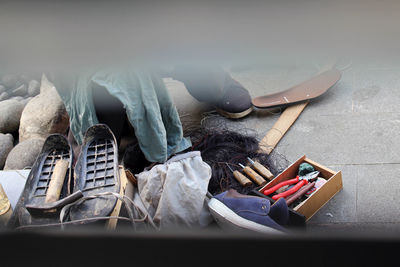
<point>95,173</point>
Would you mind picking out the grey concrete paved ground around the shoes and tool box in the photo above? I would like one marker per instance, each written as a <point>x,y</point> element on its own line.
<point>354,128</point>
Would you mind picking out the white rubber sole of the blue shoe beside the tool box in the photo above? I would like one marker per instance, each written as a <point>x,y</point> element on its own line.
<point>228,219</point>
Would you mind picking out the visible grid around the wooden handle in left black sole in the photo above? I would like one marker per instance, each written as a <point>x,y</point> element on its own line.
<point>47,171</point>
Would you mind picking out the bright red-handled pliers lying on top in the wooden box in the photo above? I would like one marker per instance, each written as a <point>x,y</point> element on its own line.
<point>300,180</point>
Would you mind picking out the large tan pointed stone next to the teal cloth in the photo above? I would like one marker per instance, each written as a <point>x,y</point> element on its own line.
<point>44,114</point>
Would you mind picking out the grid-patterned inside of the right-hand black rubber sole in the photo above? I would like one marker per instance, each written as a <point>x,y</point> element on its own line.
<point>99,165</point>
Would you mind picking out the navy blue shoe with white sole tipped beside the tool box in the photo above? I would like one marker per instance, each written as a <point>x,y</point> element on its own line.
<point>233,210</point>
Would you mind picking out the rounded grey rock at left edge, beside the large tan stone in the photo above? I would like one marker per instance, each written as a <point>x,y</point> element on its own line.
<point>10,115</point>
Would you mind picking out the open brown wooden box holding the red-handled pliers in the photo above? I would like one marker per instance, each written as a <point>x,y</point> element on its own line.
<point>320,197</point>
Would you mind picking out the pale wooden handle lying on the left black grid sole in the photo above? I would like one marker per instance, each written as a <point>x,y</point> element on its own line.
<point>57,181</point>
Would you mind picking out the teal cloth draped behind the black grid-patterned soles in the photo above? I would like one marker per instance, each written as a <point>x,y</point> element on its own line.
<point>146,100</point>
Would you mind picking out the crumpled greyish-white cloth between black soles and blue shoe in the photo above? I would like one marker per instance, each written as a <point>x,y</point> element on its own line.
<point>174,193</point>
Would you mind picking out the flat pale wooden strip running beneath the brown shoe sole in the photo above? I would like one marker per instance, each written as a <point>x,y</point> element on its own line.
<point>281,126</point>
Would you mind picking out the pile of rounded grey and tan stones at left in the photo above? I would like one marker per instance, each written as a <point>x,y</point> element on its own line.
<point>29,112</point>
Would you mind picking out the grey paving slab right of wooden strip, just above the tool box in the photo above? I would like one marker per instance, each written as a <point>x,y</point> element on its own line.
<point>344,139</point>
